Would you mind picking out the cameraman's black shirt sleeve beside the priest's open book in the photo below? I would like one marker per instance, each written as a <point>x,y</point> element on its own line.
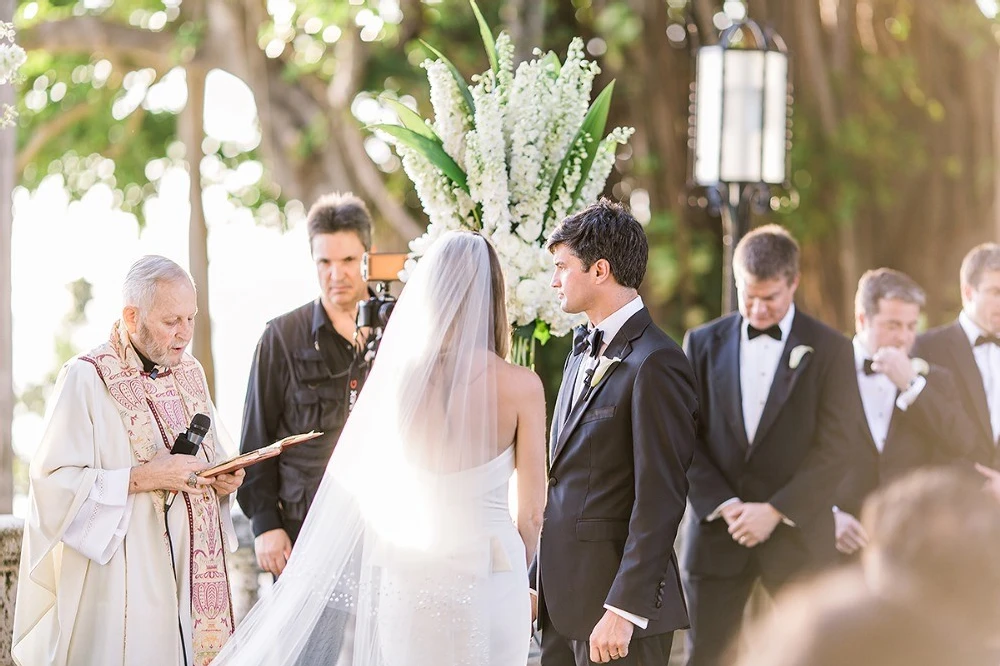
<point>258,496</point>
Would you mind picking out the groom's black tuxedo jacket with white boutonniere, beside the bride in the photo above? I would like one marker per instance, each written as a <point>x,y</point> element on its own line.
<point>617,488</point>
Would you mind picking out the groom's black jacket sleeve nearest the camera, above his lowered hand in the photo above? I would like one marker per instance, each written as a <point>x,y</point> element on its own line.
<point>664,412</point>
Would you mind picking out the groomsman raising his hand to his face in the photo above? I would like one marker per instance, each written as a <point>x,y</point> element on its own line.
<point>913,415</point>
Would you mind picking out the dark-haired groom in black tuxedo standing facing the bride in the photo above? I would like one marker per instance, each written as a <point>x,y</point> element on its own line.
<point>622,438</point>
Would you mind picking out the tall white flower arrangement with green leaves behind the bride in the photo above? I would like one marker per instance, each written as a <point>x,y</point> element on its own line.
<point>510,157</point>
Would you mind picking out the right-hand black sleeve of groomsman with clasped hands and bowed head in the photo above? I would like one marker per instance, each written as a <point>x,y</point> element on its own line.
<point>813,487</point>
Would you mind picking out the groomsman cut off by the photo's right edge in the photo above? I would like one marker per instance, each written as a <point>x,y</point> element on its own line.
<point>970,349</point>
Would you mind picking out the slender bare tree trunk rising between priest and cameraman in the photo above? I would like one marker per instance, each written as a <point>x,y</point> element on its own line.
<point>192,133</point>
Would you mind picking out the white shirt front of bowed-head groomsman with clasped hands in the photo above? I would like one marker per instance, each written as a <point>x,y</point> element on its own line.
<point>759,359</point>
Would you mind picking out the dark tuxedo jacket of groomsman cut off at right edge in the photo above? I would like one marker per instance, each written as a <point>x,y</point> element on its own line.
<point>949,347</point>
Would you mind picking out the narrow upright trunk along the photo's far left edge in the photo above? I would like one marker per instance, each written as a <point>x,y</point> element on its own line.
<point>7,182</point>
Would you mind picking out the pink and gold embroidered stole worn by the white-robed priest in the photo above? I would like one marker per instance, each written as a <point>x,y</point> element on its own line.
<point>154,413</point>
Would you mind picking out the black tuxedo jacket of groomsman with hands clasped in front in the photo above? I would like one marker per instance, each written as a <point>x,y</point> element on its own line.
<point>795,461</point>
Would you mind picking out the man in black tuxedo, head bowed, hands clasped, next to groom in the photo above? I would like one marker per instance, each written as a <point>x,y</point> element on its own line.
<point>777,398</point>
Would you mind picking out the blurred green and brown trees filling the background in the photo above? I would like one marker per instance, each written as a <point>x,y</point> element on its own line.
<point>895,125</point>
